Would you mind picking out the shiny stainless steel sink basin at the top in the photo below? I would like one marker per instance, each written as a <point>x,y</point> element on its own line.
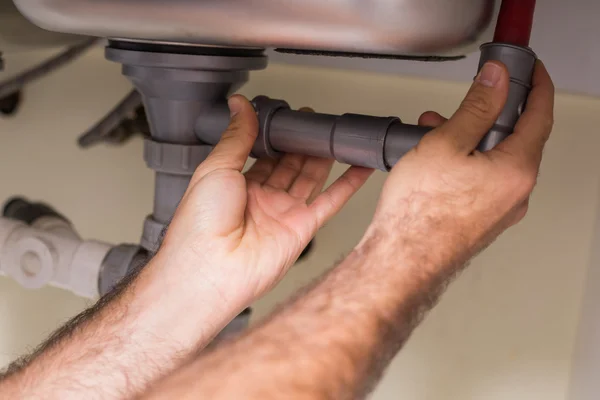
<point>365,26</point>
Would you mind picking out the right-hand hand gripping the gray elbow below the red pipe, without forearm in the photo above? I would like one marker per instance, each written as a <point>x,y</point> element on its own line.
<point>445,201</point>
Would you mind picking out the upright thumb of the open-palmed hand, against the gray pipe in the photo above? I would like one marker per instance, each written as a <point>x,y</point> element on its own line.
<point>235,145</point>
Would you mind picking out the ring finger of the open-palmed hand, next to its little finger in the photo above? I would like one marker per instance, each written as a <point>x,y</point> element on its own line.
<point>312,178</point>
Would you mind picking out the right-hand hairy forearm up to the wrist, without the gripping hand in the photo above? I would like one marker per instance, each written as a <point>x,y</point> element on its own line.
<point>334,340</point>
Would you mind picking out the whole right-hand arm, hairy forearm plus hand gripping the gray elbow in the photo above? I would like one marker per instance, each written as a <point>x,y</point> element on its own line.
<point>442,204</point>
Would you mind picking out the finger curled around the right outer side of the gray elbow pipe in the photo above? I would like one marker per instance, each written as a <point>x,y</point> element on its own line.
<point>535,125</point>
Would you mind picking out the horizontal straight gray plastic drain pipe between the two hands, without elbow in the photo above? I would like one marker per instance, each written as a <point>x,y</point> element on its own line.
<point>374,142</point>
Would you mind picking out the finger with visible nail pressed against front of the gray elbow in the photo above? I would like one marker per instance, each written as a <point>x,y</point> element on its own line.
<point>478,111</point>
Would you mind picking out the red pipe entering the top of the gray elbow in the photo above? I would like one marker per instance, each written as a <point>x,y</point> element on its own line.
<point>515,22</point>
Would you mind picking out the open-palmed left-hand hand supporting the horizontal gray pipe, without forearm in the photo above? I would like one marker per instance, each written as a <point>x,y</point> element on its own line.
<point>254,225</point>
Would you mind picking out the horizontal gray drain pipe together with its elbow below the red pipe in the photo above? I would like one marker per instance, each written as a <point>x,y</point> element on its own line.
<point>374,142</point>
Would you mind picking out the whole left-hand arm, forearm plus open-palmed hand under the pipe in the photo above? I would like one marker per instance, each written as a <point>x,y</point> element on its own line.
<point>233,237</point>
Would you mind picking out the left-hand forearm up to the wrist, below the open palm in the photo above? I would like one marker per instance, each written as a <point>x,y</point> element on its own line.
<point>128,339</point>
